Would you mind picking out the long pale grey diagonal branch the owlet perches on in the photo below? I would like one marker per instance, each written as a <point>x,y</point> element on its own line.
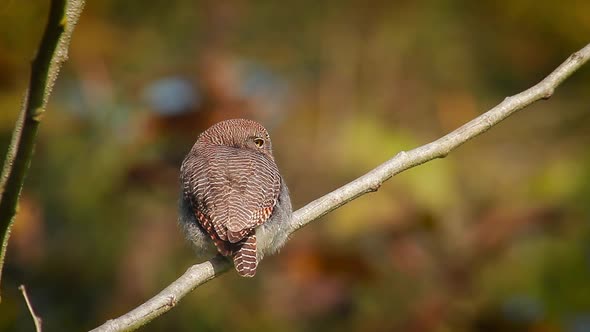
<point>198,274</point>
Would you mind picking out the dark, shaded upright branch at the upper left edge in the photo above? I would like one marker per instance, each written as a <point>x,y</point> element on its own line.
<point>52,53</point>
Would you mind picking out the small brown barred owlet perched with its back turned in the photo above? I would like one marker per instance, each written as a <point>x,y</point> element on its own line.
<point>233,194</point>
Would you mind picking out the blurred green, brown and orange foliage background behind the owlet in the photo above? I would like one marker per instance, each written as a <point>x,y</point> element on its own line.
<point>495,237</point>
